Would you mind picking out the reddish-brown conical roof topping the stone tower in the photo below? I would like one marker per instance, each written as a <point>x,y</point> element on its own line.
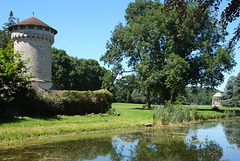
<point>32,21</point>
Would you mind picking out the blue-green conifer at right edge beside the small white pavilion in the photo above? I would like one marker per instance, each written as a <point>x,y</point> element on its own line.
<point>231,96</point>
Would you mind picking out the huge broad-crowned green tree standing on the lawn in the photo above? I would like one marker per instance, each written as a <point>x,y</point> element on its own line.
<point>167,57</point>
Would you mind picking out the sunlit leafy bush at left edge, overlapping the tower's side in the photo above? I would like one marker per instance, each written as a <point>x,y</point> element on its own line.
<point>14,79</point>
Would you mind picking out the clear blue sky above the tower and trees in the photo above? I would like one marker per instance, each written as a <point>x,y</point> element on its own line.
<point>83,26</point>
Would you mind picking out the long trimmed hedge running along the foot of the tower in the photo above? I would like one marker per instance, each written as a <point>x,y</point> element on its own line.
<point>58,103</point>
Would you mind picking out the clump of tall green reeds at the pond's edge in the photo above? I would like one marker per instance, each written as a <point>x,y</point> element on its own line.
<point>173,113</point>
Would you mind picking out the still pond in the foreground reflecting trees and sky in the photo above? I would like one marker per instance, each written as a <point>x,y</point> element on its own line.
<point>210,140</point>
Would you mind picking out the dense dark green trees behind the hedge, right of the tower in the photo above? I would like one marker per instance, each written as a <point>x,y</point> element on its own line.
<point>76,74</point>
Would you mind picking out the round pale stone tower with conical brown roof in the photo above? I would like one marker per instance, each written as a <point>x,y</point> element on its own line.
<point>34,39</point>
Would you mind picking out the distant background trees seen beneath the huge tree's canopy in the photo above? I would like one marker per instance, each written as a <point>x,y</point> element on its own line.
<point>126,90</point>
